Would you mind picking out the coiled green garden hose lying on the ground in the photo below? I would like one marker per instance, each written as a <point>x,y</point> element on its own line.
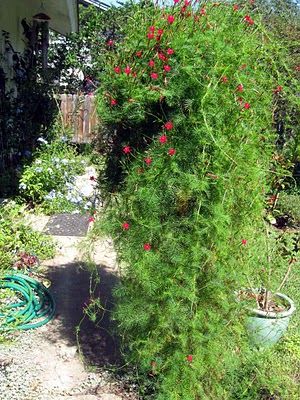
<point>34,305</point>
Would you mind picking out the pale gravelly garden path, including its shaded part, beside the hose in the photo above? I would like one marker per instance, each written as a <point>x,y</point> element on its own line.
<point>45,364</point>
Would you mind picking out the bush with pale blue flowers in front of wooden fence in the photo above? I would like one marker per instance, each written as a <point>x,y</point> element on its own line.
<point>49,181</point>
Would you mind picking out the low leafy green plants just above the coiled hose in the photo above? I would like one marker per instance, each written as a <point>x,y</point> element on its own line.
<point>17,237</point>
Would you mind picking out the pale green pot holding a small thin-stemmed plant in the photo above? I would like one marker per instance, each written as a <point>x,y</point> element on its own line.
<point>269,311</point>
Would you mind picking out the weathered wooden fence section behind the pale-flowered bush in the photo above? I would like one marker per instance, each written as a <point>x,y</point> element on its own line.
<point>79,114</point>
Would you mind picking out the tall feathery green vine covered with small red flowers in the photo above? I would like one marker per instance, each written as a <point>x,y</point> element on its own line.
<point>187,104</point>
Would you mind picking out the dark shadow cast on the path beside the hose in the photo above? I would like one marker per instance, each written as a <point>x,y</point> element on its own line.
<point>71,291</point>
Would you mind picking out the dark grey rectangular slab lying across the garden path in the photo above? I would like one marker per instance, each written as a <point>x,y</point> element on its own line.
<point>67,225</point>
